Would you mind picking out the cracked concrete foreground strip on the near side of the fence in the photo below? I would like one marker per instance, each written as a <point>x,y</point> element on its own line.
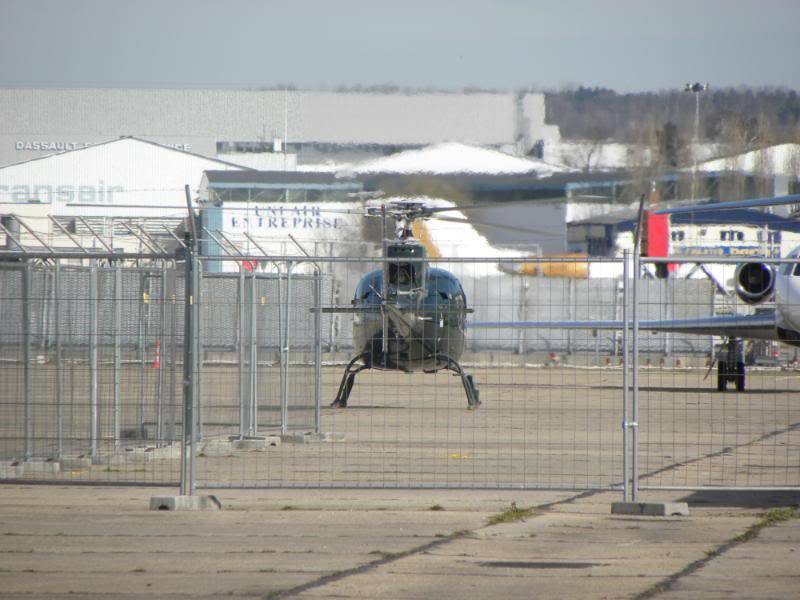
<point>97,542</point>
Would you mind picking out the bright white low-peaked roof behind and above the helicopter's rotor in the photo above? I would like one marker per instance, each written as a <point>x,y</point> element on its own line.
<point>451,158</point>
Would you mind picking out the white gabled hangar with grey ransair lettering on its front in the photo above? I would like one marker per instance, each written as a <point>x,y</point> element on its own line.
<point>101,188</point>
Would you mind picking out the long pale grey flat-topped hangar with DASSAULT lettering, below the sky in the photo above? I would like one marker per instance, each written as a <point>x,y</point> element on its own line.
<point>315,126</point>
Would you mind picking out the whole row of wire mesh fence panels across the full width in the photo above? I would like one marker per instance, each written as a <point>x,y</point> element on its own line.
<point>94,378</point>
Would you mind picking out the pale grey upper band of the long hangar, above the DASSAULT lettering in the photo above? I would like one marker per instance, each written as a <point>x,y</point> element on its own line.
<point>311,116</point>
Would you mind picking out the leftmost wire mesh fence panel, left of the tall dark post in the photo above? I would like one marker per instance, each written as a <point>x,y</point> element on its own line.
<point>87,394</point>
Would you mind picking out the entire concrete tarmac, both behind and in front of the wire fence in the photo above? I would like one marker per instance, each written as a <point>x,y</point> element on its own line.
<point>537,428</point>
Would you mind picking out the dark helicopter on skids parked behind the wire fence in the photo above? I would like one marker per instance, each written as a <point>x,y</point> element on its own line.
<point>408,316</point>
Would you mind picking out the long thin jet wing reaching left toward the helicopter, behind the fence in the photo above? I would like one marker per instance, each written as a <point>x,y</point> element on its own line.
<point>759,326</point>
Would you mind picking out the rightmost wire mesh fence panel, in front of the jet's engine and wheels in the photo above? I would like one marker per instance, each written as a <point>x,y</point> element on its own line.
<point>697,430</point>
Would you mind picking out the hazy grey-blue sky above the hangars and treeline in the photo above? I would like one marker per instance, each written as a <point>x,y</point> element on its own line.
<point>502,44</point>
